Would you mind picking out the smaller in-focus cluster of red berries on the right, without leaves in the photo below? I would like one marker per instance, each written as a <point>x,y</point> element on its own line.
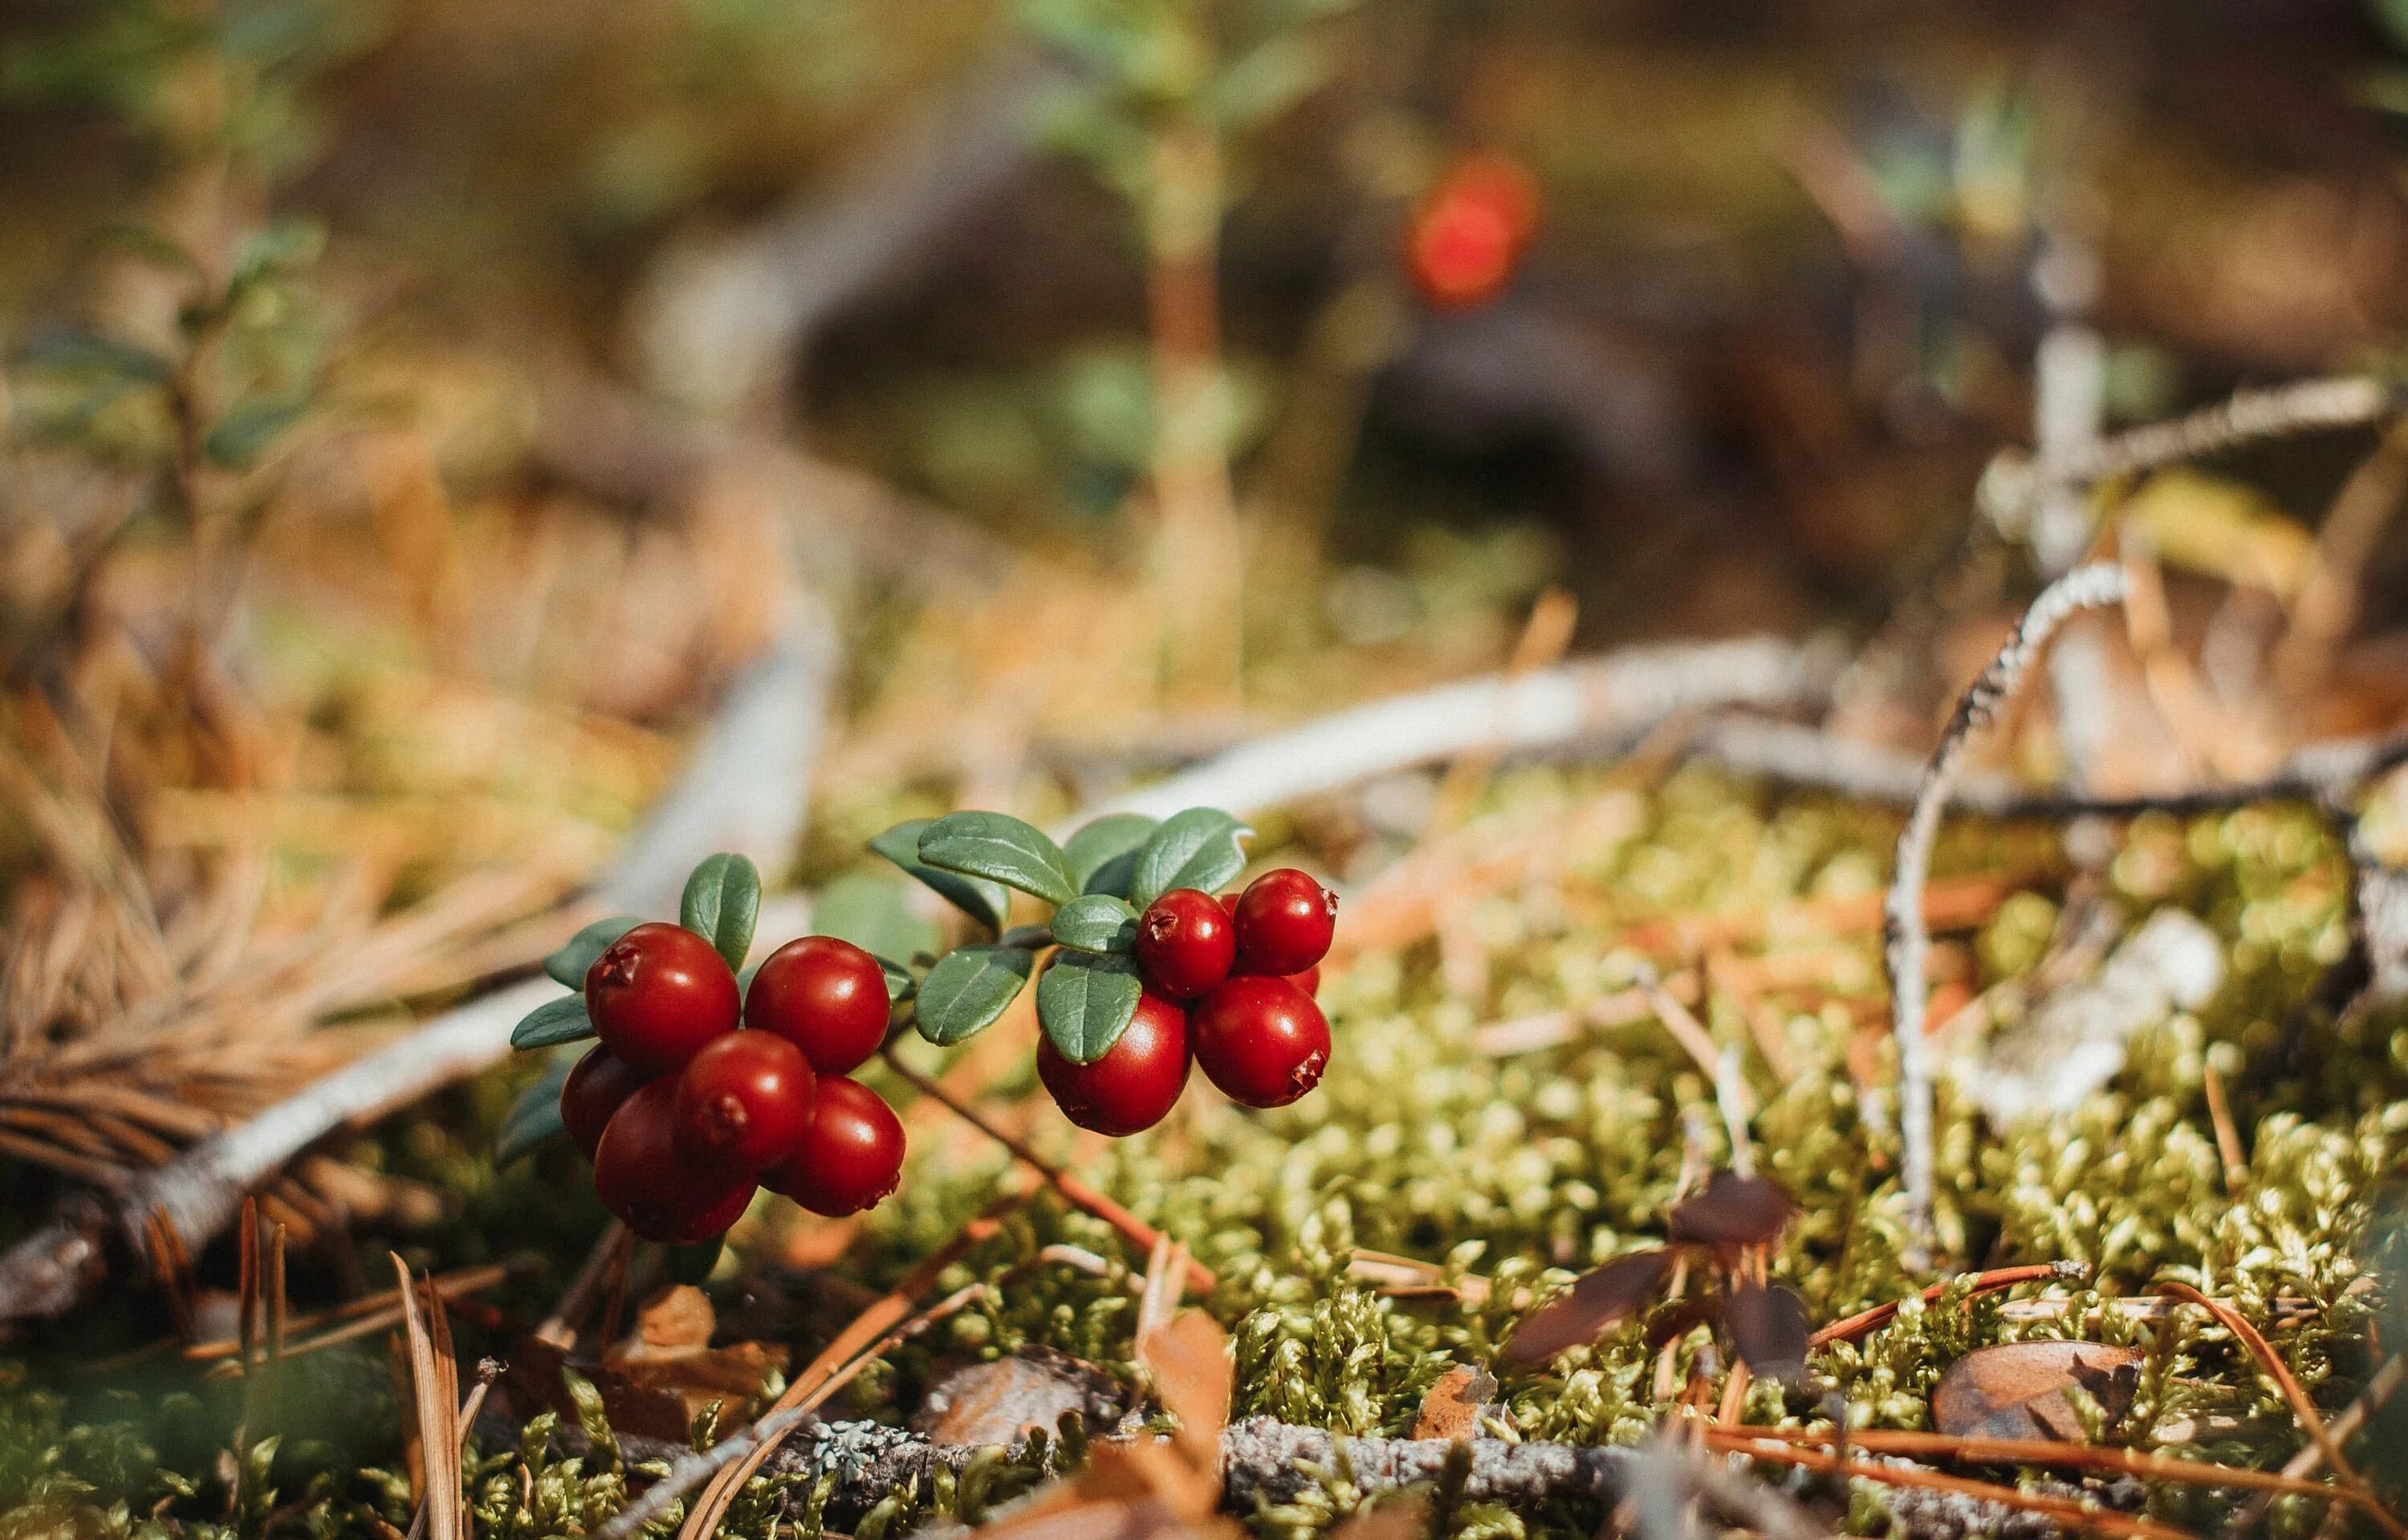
<point>1229,985</point>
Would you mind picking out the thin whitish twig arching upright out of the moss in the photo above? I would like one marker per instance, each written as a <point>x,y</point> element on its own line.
<point>1904,911</point>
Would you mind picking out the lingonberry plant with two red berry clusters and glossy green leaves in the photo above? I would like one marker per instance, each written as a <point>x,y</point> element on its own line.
<point>709,1084</point>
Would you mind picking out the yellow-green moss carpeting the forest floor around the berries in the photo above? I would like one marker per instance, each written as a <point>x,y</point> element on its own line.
<point>1521,1168</point>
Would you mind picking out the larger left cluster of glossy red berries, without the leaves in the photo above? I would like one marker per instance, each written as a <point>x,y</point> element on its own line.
<point>700,1089</point>
